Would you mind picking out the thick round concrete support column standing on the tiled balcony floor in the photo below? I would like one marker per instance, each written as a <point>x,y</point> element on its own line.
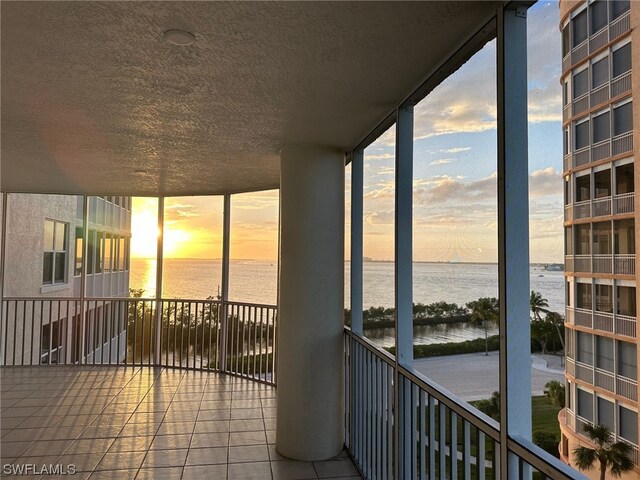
<point>310,412</point>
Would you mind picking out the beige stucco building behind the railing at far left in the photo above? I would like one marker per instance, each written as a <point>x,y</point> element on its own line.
<point>43,261</point>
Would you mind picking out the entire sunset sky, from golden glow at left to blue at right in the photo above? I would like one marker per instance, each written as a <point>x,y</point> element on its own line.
<point>455,201</point>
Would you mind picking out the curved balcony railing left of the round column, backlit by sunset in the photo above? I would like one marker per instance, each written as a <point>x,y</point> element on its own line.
<point>211,335</point>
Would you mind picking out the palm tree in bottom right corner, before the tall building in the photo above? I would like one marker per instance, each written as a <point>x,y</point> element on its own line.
<point>613,456</point>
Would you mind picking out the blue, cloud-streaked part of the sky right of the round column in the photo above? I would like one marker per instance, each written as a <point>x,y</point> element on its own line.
<point>455,160</point>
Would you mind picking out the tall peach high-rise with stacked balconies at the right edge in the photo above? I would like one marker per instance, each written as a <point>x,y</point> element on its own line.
<point>600,77</point>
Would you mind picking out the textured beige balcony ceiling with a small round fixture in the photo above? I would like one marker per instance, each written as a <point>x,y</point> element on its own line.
<point>94,102</point>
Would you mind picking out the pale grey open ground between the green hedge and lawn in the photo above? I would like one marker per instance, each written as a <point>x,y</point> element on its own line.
<point>474,376</point>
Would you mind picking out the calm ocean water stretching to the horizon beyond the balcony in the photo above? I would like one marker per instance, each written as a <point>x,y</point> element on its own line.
<point>256,281</point>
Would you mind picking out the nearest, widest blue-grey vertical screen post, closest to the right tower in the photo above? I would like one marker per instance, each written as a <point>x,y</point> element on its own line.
<point>513,235</point>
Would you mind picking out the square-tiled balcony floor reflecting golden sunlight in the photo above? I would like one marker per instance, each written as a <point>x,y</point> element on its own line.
<point>144,423</point>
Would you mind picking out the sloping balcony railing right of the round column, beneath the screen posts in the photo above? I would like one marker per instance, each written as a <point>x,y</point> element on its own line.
<point>439,435</point>
